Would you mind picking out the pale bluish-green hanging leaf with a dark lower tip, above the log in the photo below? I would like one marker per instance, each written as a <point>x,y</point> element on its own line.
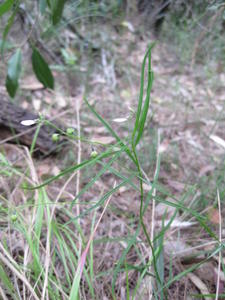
<point>14,69</point>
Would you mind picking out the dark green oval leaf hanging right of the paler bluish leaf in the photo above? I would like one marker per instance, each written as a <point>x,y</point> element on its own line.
<point>42,70</point>
